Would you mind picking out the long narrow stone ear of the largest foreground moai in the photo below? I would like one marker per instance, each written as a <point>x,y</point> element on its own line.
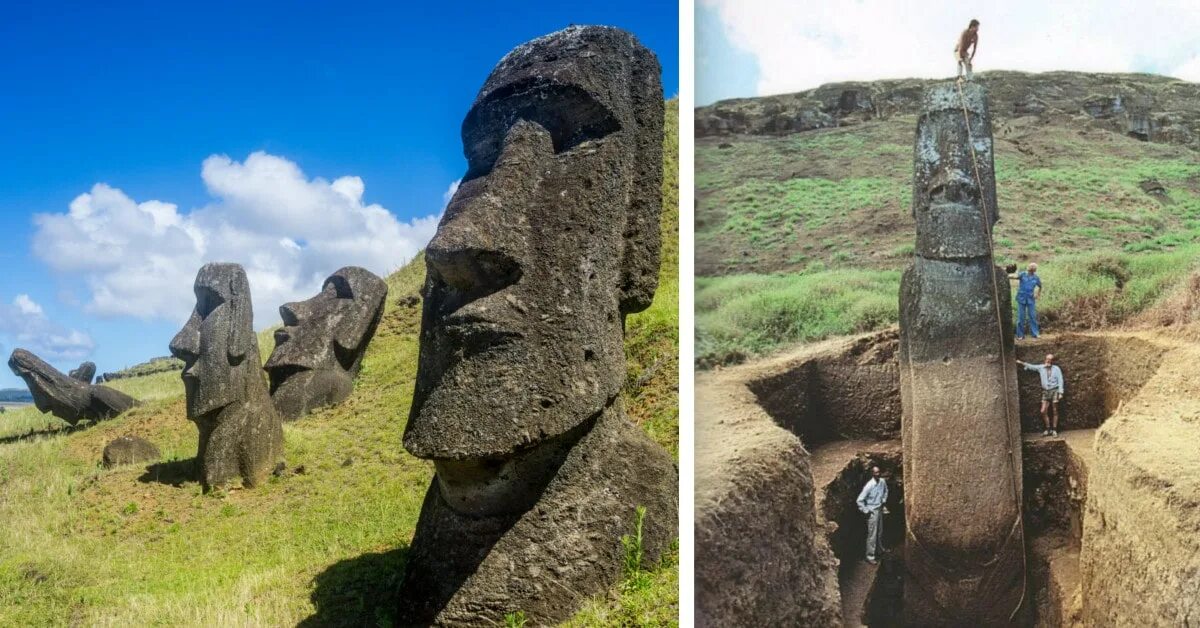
<point>640,264</point>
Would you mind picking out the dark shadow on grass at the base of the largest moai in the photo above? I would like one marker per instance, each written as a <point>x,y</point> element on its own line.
<point>359,591</point>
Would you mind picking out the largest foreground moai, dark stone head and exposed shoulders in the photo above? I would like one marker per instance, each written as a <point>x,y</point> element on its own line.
<point>550,242</point>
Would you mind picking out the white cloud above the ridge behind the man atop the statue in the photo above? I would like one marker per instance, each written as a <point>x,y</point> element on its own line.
<point>803,45</point>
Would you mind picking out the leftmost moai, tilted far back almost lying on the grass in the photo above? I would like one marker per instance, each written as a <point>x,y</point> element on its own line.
<point>67,398</point>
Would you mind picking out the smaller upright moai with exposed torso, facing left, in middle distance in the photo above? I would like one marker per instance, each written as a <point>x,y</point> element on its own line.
<point>241,433</point>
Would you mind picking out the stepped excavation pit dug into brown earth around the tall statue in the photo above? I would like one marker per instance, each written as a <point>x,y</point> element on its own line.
<point>845,408</point>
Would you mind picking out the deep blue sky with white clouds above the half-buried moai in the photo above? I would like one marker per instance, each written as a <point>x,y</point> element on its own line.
<point>207,124</point>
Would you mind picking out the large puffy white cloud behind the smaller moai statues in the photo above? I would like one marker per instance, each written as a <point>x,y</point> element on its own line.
<point>290,232</point>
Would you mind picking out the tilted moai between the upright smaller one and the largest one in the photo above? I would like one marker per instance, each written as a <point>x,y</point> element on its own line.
<point>320,350</point>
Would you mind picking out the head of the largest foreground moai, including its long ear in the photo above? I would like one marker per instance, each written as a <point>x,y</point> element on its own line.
<point>551,240</point>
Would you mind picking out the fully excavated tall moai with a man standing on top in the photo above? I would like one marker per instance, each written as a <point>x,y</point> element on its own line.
<point>964,552</point>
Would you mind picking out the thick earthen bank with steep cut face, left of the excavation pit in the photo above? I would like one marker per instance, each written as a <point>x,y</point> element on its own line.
<point>761,557</point>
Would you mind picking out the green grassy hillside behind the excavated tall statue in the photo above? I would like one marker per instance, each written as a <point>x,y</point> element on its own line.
<point>805,236</point>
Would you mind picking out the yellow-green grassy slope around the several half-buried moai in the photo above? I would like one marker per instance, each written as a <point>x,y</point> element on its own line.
<point>131,547</point>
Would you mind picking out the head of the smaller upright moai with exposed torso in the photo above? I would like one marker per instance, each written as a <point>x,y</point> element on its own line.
<point>218,344</point>
